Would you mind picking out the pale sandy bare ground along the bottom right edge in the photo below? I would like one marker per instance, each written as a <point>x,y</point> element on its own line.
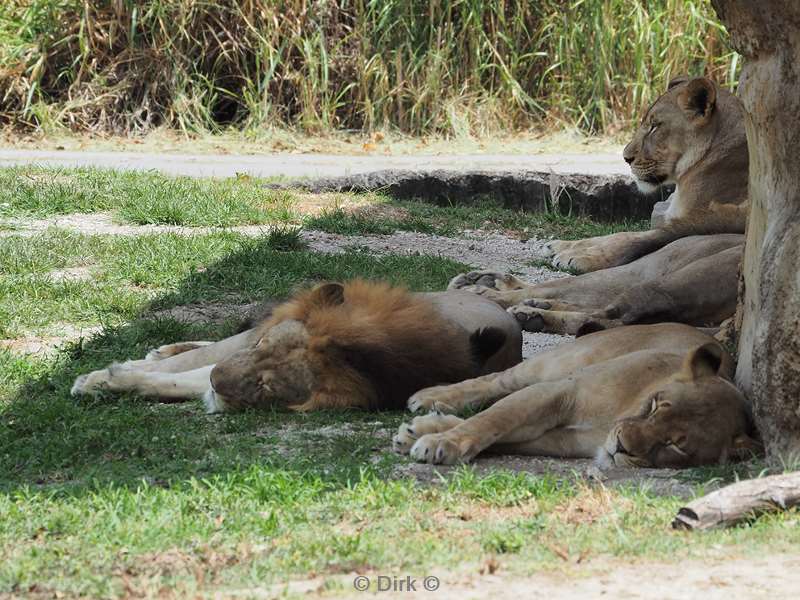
<point>719,577</point>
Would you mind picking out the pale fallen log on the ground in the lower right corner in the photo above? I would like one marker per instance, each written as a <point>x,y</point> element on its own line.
<point>740,501</point>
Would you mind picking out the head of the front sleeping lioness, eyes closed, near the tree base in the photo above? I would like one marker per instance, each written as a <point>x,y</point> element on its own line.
<point>696,418</point>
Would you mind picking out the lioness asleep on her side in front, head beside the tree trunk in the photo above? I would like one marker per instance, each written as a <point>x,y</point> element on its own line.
<point>642,395</point>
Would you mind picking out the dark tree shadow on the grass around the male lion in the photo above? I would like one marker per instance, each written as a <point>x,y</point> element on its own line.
<point>51,441</point>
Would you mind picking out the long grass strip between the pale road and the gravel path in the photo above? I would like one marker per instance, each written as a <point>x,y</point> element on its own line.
<point>155,199</point>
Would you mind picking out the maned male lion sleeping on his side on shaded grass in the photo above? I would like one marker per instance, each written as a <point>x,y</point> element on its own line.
<point>361,344</point>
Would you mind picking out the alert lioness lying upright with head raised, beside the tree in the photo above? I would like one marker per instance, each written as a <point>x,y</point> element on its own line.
<point>692,136</point>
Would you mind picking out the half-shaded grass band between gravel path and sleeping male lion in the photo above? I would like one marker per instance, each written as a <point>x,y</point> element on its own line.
<point>164,270</point>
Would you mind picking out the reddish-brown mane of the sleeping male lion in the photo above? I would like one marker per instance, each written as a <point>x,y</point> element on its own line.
<point>382,339</point>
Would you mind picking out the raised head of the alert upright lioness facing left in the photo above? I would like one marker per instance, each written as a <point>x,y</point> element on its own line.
<point>674,133</point>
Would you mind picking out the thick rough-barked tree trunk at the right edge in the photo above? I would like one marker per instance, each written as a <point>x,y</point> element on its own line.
<point>767,34</point>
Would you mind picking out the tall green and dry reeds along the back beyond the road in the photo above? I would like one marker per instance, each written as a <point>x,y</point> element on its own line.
<point>455,68</point>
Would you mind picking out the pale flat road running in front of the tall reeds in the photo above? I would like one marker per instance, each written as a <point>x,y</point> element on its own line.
<point>316,165</point>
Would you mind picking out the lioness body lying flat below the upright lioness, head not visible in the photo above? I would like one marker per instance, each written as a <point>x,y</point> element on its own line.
<point>693,280</point>
